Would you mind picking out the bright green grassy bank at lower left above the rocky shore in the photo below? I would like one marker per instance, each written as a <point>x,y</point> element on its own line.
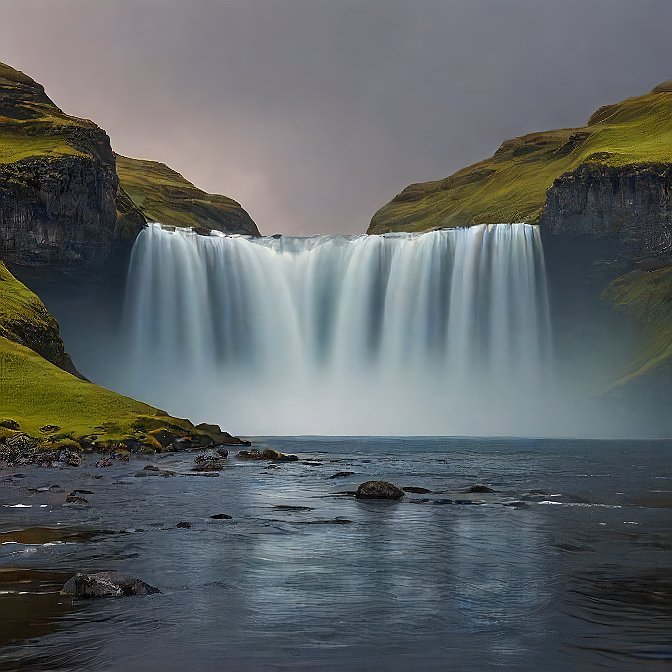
<point>36,388</point>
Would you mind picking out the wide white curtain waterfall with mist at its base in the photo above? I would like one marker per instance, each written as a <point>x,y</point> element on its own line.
<point>444,333</point>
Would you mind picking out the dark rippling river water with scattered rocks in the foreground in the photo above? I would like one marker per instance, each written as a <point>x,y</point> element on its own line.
<point>575,576</point>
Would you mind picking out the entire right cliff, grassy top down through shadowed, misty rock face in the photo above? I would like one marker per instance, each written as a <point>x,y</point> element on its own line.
<point>602,195</point>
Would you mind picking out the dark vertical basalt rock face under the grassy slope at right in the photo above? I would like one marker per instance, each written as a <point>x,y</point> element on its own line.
<point>629,204</point>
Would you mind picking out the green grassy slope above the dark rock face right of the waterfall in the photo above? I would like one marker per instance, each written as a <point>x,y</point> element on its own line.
<point>511,185</point>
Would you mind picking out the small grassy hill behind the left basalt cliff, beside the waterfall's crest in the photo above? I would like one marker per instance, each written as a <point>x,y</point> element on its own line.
<point>163,195</point>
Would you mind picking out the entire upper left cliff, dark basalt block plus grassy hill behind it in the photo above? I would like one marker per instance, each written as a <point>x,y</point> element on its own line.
<point>63,205</point>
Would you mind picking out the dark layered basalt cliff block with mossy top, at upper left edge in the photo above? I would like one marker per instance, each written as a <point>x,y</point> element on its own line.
<point>58,186</point>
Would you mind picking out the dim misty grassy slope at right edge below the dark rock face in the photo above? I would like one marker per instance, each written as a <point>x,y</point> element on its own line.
<point>647,296</point>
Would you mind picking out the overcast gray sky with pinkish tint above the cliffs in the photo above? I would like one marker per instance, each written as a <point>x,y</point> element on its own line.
<point>314,113</point>
